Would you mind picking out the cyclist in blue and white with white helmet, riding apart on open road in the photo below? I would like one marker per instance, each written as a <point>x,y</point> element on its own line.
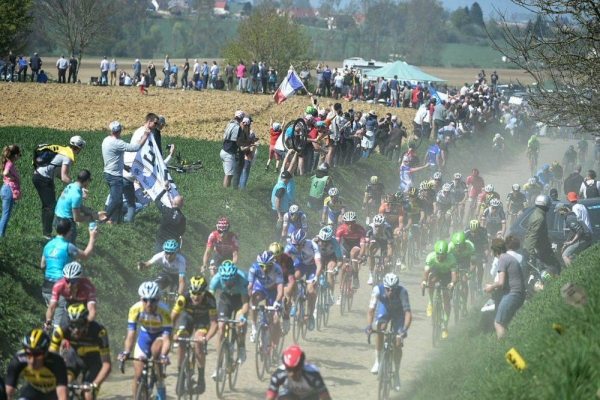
<point>393,306</point>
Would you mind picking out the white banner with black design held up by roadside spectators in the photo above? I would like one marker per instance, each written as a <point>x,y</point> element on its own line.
<point>151,172</point>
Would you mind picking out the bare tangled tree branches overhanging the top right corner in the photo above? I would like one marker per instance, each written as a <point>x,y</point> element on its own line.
<point>564,63</point>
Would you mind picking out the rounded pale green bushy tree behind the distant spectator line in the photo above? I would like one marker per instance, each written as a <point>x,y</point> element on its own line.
<point>271,38</point>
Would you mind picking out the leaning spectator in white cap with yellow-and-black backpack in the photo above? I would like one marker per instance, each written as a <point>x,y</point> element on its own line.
<point>43,180</point>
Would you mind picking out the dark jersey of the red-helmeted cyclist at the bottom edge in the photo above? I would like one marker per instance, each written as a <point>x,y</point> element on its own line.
<point>309,387</point>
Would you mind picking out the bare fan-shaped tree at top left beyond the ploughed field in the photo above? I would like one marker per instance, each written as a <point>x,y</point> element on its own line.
<point>76,24</point>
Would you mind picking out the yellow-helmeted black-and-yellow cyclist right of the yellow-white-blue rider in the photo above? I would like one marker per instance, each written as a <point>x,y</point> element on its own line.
<point>195,314</point>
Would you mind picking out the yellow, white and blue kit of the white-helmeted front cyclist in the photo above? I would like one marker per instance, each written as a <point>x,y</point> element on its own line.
<point>152,324</point>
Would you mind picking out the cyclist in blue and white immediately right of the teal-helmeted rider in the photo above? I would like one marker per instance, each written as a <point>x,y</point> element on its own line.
<point>265,282</point>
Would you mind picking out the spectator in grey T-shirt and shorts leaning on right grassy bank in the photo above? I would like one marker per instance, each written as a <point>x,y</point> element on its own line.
<point>511,283</point>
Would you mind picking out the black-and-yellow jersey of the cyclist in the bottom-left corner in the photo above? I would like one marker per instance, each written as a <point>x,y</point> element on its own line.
<point>53,373</point>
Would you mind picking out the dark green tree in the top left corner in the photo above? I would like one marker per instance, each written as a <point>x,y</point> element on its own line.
<point>15,20</point>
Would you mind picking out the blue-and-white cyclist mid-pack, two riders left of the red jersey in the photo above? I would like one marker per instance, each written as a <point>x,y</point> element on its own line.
<point>307,264</point>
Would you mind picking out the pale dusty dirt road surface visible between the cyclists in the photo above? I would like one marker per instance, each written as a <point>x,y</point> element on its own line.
<point>341,350</point>
